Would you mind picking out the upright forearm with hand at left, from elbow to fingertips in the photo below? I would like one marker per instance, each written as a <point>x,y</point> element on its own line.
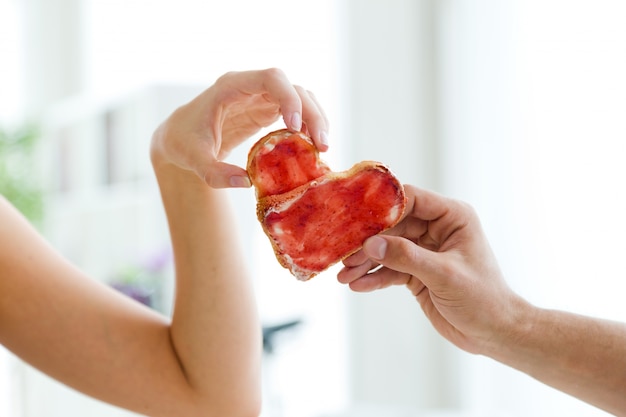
<point>215,331</point>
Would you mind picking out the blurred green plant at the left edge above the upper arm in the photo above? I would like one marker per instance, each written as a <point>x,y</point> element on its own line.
<point>18,180</point>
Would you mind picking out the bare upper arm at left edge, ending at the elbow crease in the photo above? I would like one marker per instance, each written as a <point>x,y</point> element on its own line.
<point>81,332</point>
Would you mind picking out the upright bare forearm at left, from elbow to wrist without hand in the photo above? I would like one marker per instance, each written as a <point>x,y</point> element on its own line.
<point>215,330</point>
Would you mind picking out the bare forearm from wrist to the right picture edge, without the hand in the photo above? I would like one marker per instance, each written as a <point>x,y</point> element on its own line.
<point>582,356</point>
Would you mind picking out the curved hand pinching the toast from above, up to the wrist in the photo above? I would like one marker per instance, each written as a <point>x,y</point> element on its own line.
<point>200,135</point>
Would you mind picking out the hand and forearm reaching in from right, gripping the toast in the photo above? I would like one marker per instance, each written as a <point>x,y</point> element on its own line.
<point>440,253</point>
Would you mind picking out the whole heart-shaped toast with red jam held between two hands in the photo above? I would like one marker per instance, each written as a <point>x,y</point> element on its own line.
<point>315,217</point>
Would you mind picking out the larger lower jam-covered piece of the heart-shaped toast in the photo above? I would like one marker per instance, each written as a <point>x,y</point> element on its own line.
<point>333,218</point>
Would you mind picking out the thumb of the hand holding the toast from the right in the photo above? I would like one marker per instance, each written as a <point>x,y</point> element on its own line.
<point>402,255</point>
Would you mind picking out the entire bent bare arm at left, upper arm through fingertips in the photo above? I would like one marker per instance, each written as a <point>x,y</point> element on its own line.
<point>204,361</point>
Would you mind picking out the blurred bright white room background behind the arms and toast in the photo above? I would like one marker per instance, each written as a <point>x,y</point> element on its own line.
<point>517,107</point>
